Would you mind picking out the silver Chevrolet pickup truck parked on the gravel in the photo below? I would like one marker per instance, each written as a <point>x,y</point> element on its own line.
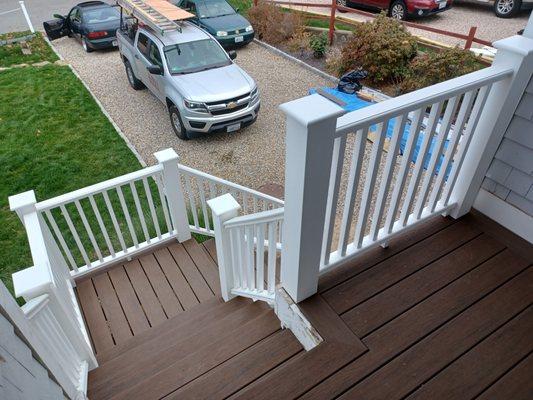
<point>190,72</point>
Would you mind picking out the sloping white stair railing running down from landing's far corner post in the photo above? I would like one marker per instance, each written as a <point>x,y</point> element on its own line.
<point>199,187</point>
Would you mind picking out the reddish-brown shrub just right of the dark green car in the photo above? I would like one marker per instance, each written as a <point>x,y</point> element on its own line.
<point>273,25</point>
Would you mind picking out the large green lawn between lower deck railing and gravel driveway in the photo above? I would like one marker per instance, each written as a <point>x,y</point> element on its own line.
<point>53,139</point>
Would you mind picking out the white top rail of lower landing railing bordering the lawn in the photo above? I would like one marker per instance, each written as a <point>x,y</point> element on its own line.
<point>97,188</point>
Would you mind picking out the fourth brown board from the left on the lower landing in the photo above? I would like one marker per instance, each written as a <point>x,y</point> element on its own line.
<point>141,284</point>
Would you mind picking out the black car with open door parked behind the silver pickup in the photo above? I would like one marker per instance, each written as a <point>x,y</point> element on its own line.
<point>93,23</point>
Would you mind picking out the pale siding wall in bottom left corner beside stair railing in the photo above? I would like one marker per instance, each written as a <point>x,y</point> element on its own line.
<point>21,376</point>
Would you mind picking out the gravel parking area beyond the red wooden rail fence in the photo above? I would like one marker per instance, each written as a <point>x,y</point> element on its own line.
<point>458,19</point>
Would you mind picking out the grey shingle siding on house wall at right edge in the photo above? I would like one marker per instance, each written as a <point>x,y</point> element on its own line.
<point>510,176</point>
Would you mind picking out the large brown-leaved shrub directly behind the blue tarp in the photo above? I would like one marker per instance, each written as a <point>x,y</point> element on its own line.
<point>383,47</point>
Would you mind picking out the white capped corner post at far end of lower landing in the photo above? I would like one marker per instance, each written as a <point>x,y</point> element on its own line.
<point>168,159</point>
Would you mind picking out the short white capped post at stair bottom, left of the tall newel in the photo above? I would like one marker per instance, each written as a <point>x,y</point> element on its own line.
<point>224,208</point>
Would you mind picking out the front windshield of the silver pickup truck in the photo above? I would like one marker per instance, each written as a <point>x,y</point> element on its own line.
<point>185,58</point>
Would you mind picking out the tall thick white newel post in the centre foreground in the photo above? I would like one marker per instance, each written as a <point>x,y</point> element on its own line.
<point>311,126</point>
